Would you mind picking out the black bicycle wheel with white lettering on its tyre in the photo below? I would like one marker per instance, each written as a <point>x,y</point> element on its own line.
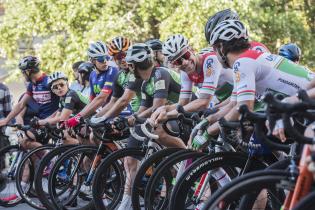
<point>222,166</point>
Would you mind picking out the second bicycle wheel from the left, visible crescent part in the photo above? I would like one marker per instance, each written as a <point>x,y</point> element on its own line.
<point>25,175</point>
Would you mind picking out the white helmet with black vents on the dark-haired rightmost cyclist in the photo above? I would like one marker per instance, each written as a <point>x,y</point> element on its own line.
<point>228,30</point>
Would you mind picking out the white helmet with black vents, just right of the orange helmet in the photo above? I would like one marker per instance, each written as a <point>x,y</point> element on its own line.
<point>138,52</point>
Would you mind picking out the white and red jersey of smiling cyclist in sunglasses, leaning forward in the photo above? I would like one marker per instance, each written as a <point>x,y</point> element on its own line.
<point>213,79</point>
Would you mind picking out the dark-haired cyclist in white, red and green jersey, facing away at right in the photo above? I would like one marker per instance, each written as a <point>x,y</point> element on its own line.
<point>255,72</point>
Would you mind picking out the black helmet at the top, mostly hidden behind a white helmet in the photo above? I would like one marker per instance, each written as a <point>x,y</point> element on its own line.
<point>218,17</point>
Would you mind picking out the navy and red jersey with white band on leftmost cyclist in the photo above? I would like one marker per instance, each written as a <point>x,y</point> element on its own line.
<point>42,95</point>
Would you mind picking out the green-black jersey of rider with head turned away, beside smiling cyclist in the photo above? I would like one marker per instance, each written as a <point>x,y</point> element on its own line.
<point>163,83</point>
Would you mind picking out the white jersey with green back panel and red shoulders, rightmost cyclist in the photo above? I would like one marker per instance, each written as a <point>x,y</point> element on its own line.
<point>255,73</point>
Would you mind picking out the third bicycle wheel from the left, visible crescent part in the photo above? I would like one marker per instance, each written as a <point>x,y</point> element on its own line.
<point>42,173</point>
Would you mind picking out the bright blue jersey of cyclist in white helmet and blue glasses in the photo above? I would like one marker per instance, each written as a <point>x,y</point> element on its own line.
<point>102,81</point>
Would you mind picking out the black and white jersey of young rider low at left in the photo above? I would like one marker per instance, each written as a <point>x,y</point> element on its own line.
<point>74,101</point>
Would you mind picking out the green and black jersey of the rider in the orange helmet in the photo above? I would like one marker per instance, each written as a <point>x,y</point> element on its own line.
<point>126,80</point>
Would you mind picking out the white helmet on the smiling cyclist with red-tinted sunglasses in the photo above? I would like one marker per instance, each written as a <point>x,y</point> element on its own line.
<point>174,45</point>
